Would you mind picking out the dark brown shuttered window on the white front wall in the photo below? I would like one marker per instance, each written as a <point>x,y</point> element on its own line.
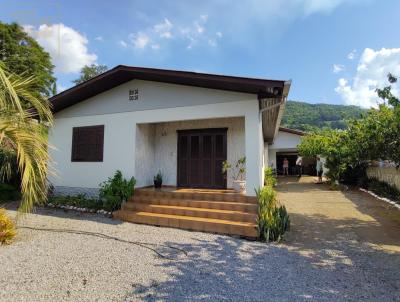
<point>87,144</point>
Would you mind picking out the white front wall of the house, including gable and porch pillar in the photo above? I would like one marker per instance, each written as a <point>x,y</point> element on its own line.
<point>121,134</point>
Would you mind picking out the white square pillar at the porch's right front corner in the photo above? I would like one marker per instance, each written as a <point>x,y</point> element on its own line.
<point>254,150</point>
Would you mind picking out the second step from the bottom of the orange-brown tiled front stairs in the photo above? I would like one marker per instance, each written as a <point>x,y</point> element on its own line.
<point>191,211</point>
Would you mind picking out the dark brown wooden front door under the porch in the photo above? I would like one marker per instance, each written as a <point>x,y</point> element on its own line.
<point>200,157</point>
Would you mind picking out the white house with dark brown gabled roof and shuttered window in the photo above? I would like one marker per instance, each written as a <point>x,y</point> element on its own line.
<point>185,124</point>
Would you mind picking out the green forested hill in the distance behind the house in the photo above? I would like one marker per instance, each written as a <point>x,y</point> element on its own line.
<point>305,116</point>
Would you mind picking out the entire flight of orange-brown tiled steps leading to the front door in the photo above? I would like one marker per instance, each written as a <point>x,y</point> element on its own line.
<point>206,210</point>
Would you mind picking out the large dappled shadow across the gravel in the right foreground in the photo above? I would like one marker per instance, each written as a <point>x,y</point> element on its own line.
<point>229,269</point>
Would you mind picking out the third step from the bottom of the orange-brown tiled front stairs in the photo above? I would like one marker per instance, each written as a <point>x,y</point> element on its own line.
<point>217,205</point>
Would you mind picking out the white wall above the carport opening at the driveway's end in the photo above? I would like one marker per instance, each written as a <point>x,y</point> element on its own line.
<point>283,142</point>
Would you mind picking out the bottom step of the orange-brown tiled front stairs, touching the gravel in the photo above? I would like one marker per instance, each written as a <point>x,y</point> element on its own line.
<point>220,226</point>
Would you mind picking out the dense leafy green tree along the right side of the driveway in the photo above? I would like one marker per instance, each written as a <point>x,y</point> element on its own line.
<point>375,136</point>
